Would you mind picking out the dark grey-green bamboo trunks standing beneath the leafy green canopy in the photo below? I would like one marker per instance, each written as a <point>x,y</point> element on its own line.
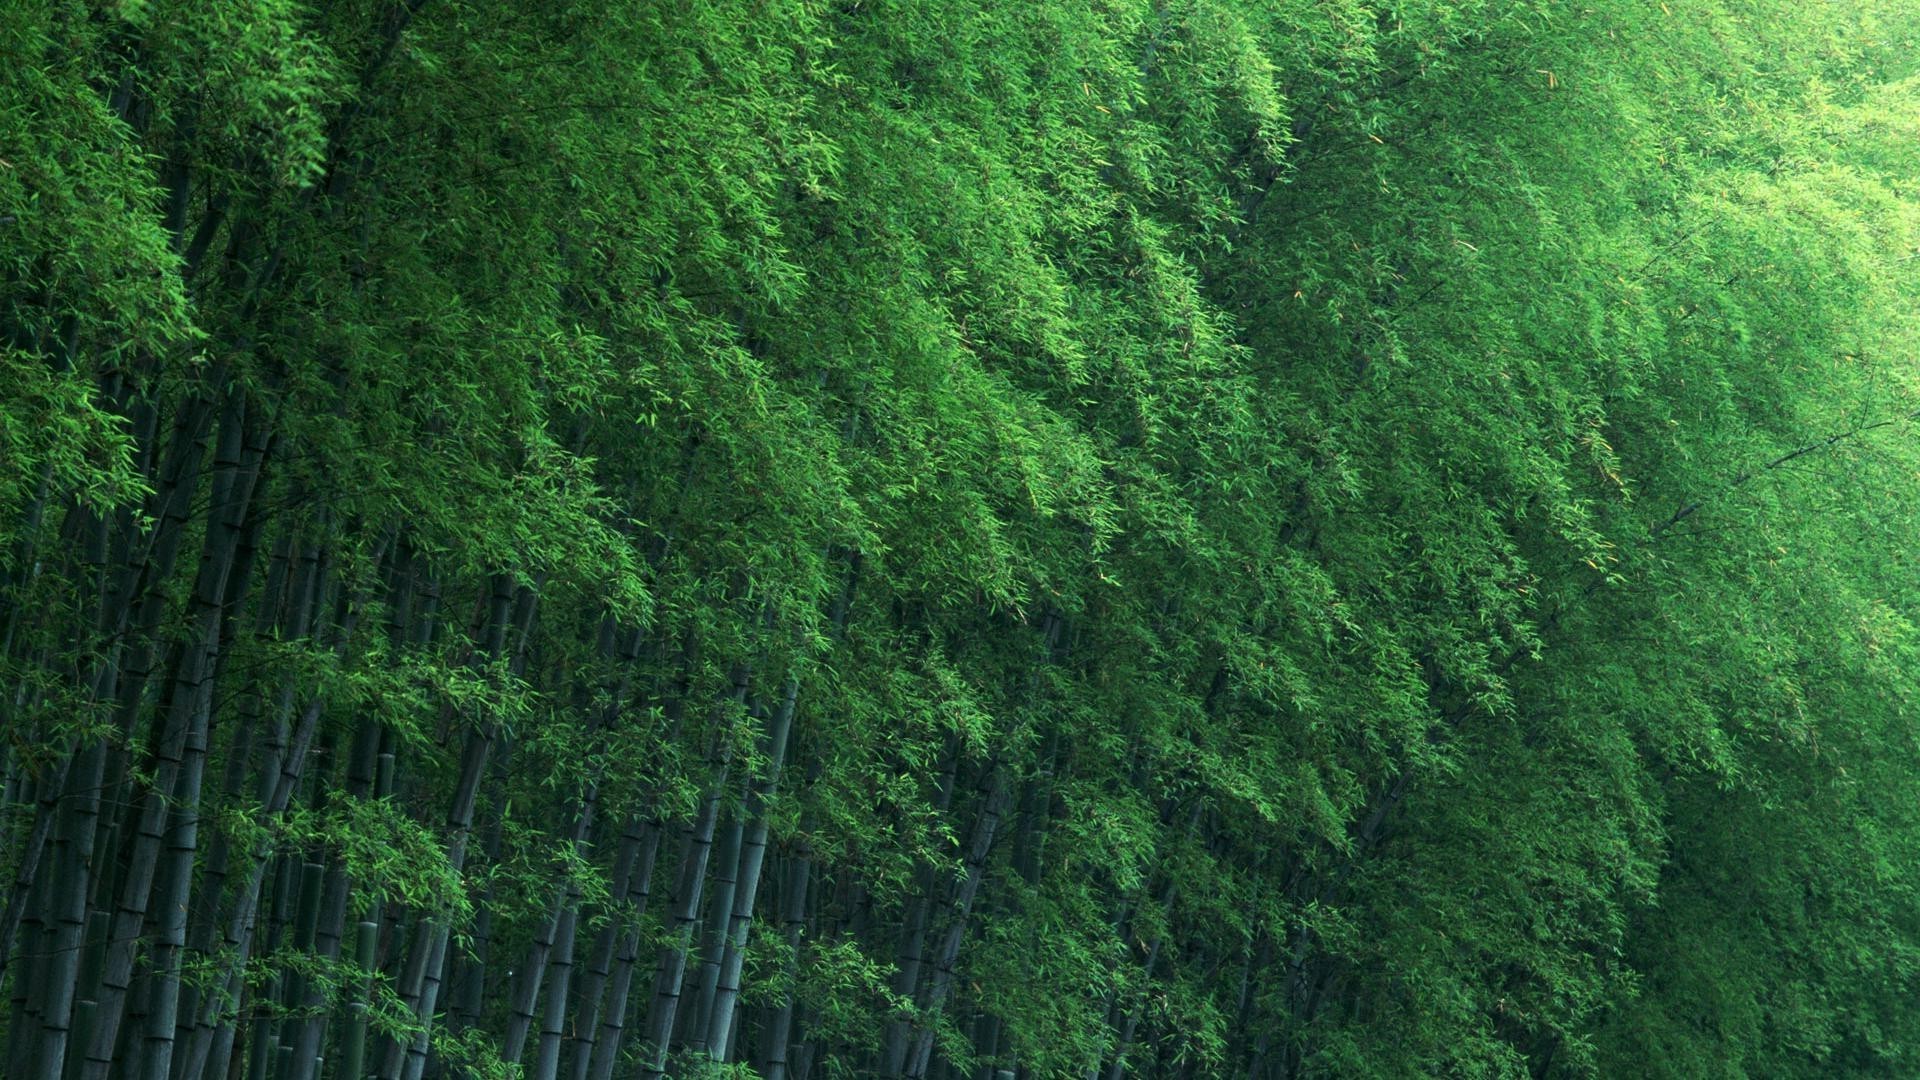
<point>141,945</point>
